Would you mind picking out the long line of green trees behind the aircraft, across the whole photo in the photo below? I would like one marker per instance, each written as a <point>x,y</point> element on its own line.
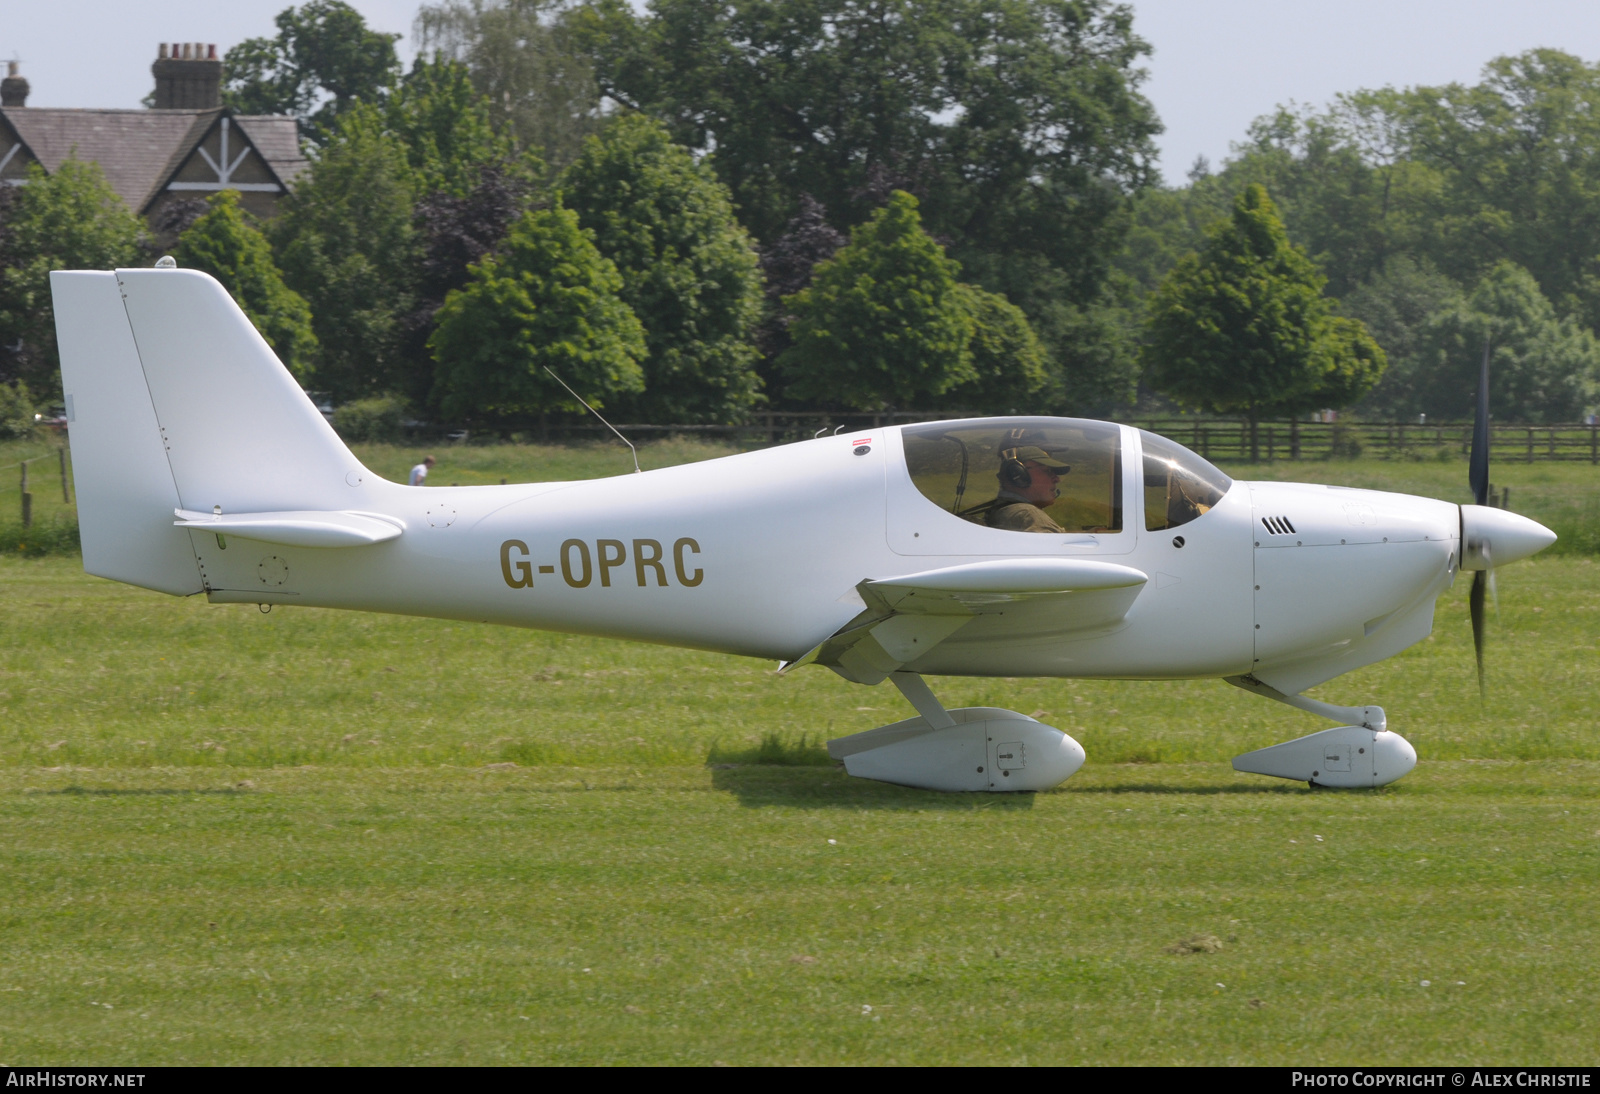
<point>702,209</point>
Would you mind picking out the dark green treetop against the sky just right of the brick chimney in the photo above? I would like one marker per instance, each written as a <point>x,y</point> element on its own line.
<point>322,62</point>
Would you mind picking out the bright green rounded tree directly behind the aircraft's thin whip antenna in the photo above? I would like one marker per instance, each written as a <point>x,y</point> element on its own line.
<point>548,300</point>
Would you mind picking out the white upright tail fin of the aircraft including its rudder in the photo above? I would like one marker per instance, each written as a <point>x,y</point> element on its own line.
<point>177,402</point>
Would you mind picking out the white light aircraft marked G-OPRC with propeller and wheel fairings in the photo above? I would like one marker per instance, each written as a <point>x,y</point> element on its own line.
<point>980,548</point>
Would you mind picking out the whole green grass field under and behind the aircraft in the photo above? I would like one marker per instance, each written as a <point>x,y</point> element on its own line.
<point>321,837</point>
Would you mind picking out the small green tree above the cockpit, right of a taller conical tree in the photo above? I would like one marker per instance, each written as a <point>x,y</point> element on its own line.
<point>1010,373</point>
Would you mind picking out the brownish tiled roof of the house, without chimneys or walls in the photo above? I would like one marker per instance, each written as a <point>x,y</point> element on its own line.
<point>142,151</point>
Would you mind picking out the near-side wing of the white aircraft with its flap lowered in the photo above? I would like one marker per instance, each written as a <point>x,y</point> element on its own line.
<point>908,617</point>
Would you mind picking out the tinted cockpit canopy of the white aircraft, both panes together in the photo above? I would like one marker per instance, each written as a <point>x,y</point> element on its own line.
<point>975,469</point>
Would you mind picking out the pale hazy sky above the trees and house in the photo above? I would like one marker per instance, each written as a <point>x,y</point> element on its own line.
<point>1217,63</point>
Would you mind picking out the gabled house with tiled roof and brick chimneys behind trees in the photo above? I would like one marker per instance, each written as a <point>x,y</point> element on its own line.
<point>185,148</point>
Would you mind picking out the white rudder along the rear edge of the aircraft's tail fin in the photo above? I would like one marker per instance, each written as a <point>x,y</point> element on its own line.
<point>126,489</point>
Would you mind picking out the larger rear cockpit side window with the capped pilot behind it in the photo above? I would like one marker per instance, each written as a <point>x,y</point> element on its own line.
<point>1022,474</point>
